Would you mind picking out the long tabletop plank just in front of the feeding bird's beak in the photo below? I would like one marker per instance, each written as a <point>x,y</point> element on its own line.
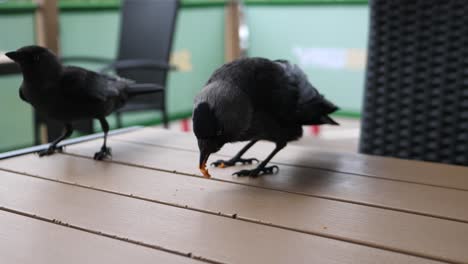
<point>362,224</point>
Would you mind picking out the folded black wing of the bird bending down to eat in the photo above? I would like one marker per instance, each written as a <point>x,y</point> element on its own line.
<point>277,88</point>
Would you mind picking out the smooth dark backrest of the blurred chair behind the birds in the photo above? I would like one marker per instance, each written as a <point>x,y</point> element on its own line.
<point>146,32</point>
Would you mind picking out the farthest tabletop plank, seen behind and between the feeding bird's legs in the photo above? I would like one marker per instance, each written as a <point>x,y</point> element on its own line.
<point>390,168</point>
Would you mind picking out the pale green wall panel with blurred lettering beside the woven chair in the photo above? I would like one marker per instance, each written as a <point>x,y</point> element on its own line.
<point>328,41</point>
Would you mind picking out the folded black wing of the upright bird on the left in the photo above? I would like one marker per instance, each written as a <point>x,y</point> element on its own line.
<point>86,85</point>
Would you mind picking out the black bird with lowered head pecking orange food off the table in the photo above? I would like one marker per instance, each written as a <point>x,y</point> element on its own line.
<point>255,99</point>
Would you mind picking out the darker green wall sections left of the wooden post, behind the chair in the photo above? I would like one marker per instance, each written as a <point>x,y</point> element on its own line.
<point>95,33</point>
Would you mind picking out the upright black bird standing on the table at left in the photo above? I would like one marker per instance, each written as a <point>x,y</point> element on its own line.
<point>68,93</point>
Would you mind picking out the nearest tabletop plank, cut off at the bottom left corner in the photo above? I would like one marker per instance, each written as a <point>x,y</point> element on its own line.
<point>24,240</point>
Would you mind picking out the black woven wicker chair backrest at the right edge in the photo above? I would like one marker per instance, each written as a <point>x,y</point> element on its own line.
<point>416,96</point>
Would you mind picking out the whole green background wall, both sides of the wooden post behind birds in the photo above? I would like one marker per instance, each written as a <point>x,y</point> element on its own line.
<point>276,31</point>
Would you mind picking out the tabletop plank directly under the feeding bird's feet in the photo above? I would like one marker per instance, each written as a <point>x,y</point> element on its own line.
<point>416,198</point>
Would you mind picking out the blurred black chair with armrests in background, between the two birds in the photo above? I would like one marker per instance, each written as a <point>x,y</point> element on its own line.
<point>146,37</point>
